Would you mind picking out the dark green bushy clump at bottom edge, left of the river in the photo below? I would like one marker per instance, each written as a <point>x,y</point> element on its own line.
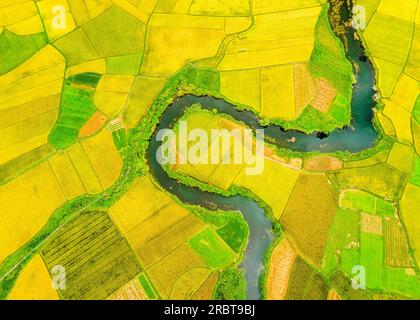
<point>230,285</point>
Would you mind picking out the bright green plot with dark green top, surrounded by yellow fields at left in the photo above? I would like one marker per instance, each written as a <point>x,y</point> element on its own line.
<point>75,109</point>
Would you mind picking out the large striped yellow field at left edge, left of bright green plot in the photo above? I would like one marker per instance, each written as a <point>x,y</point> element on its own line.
<point>29,101</point>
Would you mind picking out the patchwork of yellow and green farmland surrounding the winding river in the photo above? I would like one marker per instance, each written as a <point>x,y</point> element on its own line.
<point>84,83</point>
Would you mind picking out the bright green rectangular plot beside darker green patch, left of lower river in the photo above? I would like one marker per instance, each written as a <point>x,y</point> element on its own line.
<point>213,250</point>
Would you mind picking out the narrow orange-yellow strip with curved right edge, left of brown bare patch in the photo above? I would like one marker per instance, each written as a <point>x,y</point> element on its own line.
<point>305,88</point>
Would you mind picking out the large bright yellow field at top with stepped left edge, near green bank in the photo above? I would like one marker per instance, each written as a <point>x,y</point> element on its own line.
<point>279,46</point>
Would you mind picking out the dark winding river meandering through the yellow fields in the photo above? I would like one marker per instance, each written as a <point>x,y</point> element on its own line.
<point>358,136</point>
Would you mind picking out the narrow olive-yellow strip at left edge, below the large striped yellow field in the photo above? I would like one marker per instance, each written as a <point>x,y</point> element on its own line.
<point>18,165</point>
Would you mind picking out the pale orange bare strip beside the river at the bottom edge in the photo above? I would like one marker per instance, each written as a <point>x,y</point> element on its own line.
<point>281,264</point>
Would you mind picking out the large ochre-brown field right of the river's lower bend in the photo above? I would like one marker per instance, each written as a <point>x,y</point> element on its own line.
<point>309,215</point>
